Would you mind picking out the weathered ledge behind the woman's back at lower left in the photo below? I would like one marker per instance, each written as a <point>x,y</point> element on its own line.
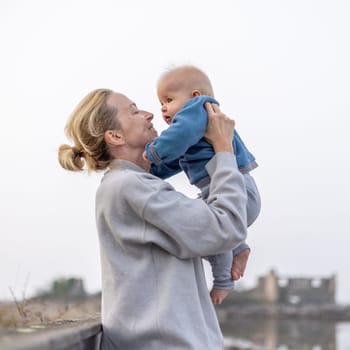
<point>73,334</point>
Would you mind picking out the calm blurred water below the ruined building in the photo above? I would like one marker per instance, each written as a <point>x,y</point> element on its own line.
<point>261,334</point>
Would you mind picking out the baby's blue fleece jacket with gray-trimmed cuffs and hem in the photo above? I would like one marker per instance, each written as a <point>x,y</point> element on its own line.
<point>182,146</point>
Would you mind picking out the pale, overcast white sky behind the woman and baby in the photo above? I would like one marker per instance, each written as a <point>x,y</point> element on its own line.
<point>279,67</point>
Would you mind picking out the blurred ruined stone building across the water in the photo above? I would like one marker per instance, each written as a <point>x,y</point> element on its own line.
<point>288,290</point>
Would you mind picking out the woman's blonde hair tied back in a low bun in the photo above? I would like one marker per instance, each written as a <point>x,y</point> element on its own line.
<point>86,128</point>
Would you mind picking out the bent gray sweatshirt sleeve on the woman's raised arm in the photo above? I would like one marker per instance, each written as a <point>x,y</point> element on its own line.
<point>188,227</point>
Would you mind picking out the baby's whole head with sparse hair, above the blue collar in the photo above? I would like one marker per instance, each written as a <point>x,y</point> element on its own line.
<point>177,85</point>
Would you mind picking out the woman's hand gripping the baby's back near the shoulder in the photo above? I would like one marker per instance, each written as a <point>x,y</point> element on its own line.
<point>220,129</point>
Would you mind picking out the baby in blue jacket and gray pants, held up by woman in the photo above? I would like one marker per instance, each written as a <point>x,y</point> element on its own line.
<point>182,92</point>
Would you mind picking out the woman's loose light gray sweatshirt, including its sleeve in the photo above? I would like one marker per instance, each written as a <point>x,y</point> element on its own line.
<point>154,292</point>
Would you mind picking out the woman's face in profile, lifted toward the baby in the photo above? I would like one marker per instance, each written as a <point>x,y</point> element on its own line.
<point>136,124</point>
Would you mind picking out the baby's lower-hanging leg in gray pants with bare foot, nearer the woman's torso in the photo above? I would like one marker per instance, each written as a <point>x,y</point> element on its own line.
<point>223,284</point>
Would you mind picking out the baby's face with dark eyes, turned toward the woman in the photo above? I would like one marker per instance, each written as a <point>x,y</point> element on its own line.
<point>171,100</point>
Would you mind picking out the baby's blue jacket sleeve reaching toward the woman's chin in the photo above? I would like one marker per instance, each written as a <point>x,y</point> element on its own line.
<point>187,128</point>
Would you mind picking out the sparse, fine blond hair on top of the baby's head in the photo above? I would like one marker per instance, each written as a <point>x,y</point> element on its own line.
<point>188,77</point>
